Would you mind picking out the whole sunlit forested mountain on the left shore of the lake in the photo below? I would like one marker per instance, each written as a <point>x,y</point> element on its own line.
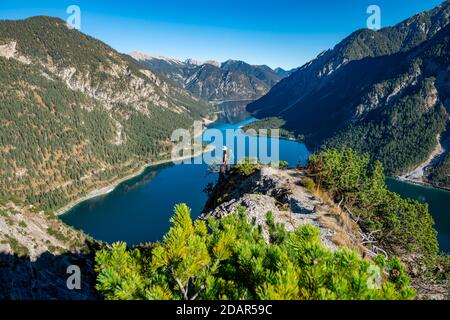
<point>76,114</point>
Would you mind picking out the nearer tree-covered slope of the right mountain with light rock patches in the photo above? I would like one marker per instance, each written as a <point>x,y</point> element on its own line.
<point>407,111</point>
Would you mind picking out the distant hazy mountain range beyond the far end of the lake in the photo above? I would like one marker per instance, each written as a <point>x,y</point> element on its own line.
<point>214,81</point>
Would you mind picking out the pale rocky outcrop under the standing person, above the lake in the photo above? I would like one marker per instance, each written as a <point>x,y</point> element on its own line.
<point>281,192</point>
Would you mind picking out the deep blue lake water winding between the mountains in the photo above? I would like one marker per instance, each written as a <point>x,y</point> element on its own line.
<point>139,210</point>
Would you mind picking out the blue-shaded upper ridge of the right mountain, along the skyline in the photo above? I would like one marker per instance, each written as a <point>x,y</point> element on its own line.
<point>361,44</point>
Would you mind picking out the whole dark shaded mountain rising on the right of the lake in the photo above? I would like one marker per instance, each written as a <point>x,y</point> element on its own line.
<point>386,93</point>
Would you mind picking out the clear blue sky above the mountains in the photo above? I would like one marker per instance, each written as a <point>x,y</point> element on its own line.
<point>284,33</point>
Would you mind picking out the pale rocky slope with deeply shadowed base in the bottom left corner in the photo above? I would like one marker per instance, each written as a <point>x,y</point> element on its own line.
<point>36,251</point>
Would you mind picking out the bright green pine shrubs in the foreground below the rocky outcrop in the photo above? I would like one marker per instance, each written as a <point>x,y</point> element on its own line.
<point>233,261</point>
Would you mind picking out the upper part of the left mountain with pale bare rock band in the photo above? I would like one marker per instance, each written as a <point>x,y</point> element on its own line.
<point>89,66</point>
